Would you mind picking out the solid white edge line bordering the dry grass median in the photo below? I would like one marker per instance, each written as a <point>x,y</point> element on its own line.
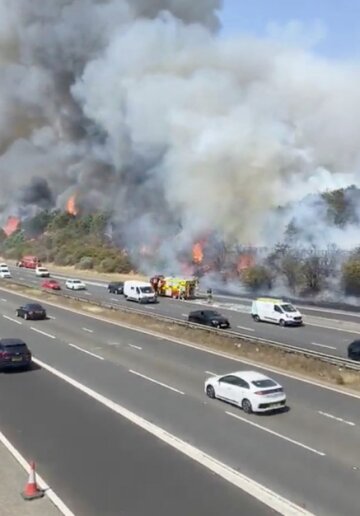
<point>198,347</point>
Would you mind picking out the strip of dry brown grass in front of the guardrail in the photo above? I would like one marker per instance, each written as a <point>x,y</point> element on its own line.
<point>238,347</point>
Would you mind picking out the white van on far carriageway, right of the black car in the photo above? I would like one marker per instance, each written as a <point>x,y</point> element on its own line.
<point>276,311</point>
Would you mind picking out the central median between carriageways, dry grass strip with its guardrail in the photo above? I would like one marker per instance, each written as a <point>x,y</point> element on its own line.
<point>316,366</point>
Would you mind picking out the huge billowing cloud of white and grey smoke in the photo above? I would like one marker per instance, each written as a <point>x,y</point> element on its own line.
<point>140,108</point>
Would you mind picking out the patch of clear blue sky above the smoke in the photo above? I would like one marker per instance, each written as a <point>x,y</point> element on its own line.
<point>330,27</point>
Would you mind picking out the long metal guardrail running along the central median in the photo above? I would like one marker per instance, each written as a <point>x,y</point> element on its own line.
<point>323,357</point>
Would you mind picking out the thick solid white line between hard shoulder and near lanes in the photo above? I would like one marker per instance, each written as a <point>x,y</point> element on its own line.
<point>258,491</point>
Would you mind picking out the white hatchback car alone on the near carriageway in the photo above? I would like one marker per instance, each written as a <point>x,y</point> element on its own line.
<point>252,391</point>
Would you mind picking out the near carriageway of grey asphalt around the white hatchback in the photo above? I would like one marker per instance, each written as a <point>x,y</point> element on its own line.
<point>309,454</point>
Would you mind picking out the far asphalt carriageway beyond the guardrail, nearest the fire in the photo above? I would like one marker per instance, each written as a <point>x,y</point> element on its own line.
<point>328,332</point>
